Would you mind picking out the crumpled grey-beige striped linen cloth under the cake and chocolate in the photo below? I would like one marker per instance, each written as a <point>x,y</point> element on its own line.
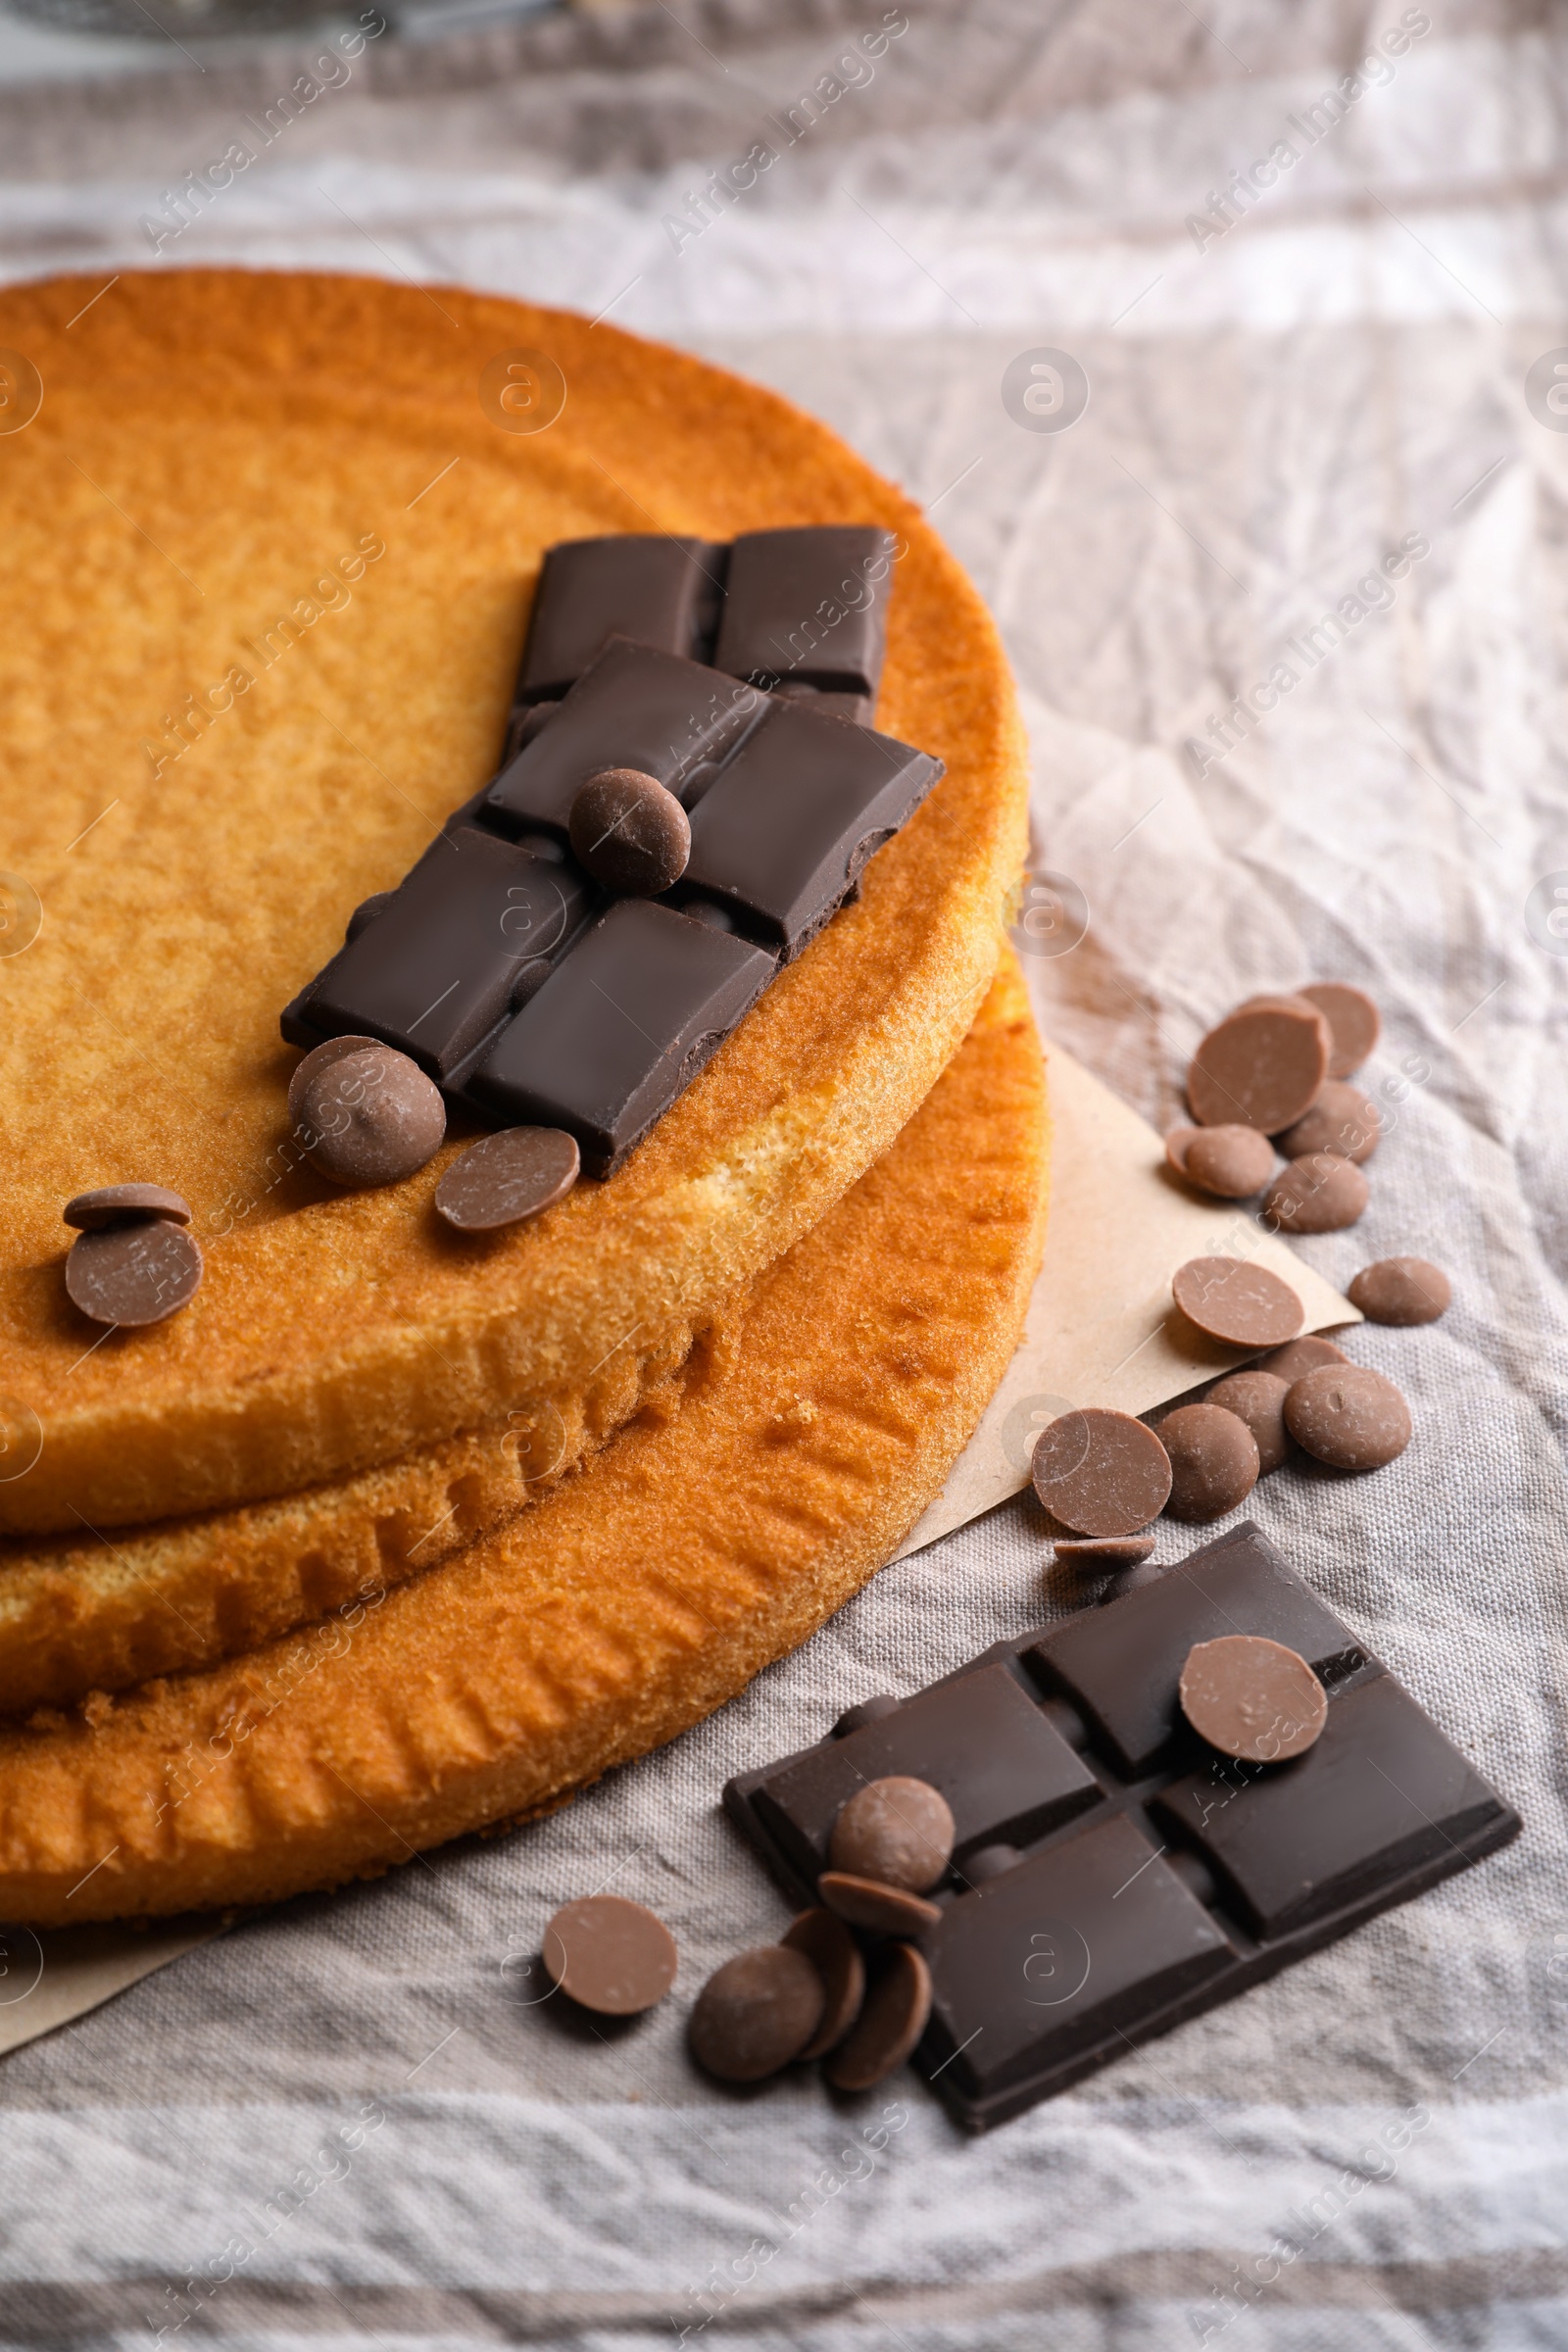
<point>351,2120</point>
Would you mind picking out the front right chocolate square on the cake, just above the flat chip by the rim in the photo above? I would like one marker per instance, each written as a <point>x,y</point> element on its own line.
<point>619,1029</point>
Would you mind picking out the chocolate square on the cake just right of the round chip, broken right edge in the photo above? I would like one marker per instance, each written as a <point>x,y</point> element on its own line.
<point>793,817</point>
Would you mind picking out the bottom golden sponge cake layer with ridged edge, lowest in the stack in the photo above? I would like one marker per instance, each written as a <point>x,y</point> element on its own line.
<point>629,1605</point>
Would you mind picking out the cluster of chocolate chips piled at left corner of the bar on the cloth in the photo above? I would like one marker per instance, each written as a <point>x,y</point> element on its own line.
<point>819,1993</point>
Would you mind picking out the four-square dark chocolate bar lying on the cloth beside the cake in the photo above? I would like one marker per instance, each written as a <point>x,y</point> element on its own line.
<point>1113,1873</point>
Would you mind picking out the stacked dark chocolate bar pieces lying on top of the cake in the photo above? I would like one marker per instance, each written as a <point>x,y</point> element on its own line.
<point>488,965</point>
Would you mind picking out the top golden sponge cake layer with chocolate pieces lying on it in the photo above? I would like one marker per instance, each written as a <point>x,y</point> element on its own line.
<point>213,448</point>
